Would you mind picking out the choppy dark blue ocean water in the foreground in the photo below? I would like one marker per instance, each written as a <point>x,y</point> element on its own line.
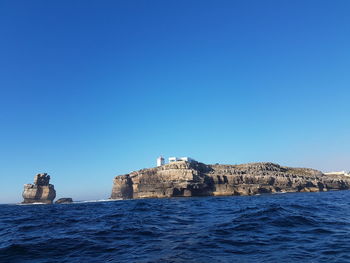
<point>296,227</point>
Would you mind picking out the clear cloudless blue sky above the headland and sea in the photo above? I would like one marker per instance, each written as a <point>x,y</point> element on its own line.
<point>93,89</point>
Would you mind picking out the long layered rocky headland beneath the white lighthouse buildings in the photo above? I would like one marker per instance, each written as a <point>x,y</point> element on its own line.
<point>198,179</point>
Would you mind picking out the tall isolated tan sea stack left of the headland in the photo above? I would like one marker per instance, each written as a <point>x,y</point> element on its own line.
<point>39,192</point>
